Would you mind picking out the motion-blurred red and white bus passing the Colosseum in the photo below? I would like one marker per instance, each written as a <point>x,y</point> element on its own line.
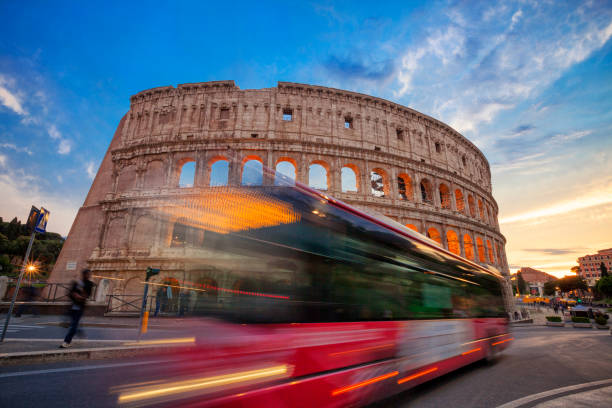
<point>309,302</point>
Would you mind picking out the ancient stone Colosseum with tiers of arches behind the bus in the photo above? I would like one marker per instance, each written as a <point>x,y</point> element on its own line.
<point>368,152</point>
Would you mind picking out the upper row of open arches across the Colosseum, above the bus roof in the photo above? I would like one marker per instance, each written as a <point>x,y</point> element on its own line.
<point>377,183</point>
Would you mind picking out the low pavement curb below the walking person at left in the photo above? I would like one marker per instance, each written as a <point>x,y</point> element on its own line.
<point>96,353</point>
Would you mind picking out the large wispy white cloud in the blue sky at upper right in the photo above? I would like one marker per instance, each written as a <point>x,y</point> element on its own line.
<point>482,61</point>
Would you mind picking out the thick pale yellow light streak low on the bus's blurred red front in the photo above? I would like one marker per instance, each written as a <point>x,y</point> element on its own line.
<point>201,383</point>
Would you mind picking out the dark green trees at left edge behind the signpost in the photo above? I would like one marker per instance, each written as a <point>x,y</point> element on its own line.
<point>14,240</point>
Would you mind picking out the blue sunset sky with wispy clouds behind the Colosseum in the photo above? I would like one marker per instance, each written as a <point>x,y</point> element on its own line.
<point>529,82</point>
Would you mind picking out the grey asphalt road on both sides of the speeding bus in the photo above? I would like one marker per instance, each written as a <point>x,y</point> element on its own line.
<point>541,359</point>
